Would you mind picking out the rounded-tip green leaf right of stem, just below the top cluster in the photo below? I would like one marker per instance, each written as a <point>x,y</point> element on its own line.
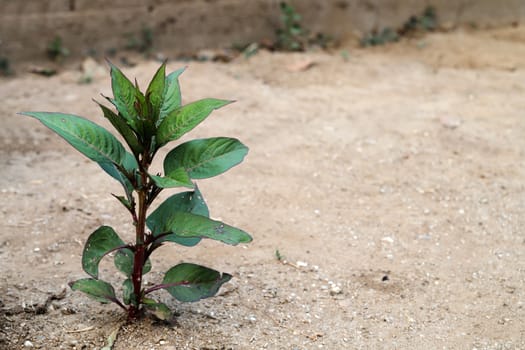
<point>204,158</point>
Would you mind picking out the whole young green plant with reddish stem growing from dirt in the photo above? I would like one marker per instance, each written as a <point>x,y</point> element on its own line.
<point>147,122</point>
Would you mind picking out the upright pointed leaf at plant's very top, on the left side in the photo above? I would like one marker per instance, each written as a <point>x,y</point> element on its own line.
<point>124,96</point>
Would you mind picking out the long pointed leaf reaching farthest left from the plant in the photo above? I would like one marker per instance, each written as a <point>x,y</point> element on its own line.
<point>90,139</point>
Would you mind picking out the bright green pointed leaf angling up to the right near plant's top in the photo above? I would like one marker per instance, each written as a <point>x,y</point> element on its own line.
<point>184,119</point>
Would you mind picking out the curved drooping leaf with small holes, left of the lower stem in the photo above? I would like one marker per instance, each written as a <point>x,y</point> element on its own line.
<point>99,243</point>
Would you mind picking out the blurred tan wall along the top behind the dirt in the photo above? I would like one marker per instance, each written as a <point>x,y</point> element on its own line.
<point>27,26</point>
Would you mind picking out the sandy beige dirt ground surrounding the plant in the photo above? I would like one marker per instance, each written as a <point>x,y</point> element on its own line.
<point>389,179</point>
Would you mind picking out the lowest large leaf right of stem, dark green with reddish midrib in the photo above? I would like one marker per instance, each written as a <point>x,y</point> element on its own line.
<point>190,282</point>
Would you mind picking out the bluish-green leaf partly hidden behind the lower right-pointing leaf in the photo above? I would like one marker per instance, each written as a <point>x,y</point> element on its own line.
<point>186,202</point>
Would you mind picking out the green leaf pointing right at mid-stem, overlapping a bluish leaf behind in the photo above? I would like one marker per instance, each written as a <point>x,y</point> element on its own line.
<point>190,225</point>
